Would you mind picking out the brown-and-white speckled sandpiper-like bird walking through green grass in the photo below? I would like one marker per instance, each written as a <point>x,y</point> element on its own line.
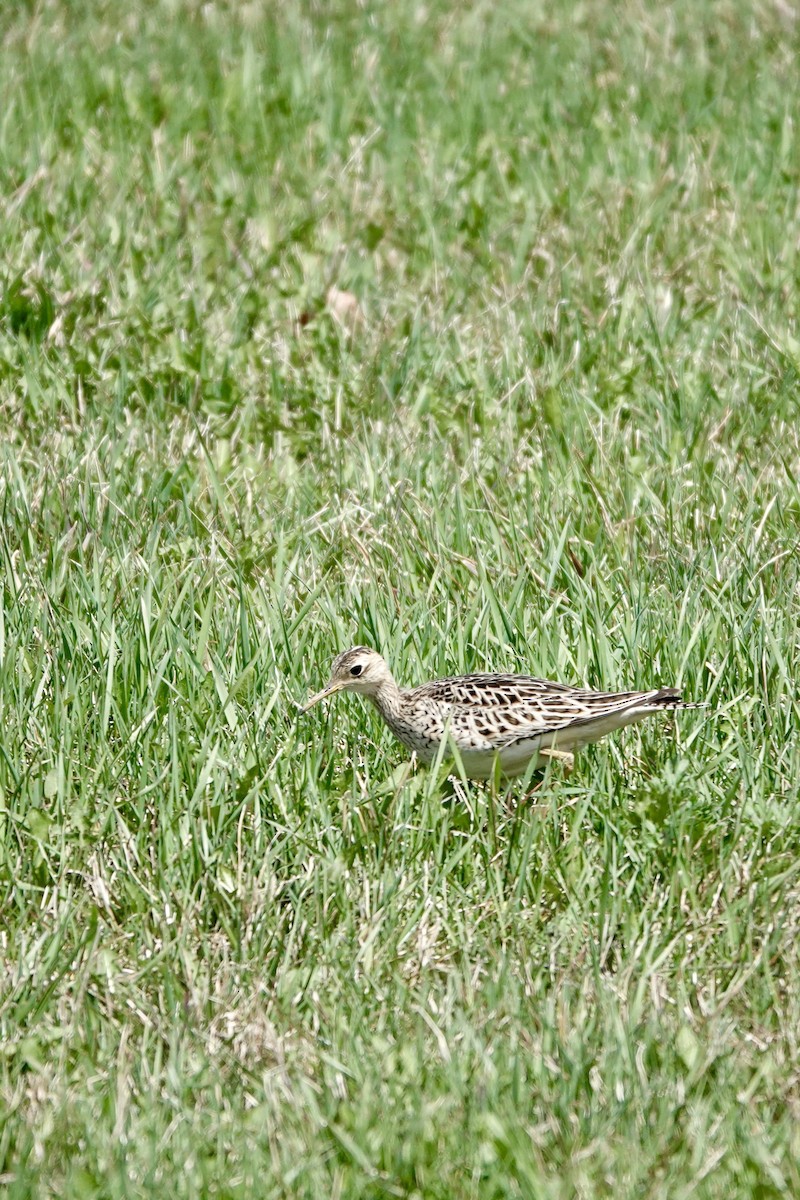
<point>496,722</point>
